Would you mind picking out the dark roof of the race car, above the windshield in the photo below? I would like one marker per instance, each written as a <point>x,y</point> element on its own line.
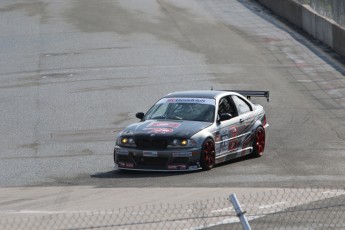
<point>198,94</point>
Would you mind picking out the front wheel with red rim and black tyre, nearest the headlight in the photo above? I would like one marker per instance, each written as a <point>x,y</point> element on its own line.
<point>208,154</point>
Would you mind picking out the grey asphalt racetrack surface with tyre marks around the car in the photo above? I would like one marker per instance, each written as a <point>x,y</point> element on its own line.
<point>73,73</point>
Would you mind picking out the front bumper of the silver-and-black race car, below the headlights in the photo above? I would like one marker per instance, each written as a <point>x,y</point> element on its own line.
<point>157,160</point>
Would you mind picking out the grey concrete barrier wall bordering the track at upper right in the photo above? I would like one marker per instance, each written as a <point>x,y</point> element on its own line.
<point>303,16</point>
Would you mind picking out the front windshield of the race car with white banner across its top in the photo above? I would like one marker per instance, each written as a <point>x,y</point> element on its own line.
<point>192,109</point>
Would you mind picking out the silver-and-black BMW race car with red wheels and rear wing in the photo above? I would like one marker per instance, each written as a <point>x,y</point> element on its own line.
<point>192,130</point>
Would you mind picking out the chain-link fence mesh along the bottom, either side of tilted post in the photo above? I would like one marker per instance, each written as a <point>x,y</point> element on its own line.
<point>276,209</point>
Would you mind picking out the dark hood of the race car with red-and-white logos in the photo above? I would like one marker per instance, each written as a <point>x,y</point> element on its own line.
<point>183,129</point>
